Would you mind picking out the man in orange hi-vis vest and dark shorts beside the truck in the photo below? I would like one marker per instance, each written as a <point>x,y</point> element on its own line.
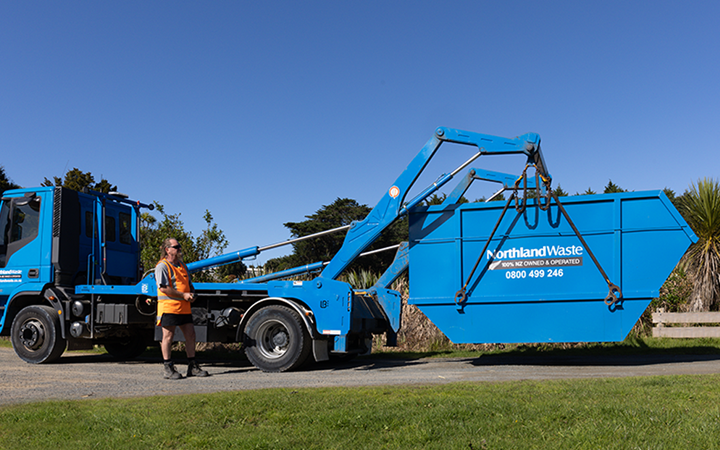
<point>175,295</point>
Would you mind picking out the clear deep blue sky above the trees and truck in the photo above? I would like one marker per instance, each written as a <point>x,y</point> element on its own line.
<point>262,112</point>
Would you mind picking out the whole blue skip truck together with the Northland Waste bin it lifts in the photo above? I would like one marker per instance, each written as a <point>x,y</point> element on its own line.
<point>530,269</point>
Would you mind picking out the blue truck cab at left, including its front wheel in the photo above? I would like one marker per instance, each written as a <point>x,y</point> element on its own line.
<point>52,239</point>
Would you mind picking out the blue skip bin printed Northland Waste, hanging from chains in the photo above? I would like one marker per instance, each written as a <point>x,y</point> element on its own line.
<point>536,281</point>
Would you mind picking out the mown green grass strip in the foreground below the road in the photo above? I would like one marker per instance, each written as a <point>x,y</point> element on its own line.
<point>664,412</point>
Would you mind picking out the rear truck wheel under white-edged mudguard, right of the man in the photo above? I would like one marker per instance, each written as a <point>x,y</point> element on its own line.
<point>276,339</point>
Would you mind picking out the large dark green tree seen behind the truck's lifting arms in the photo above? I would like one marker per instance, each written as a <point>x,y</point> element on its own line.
<point>342,212</point>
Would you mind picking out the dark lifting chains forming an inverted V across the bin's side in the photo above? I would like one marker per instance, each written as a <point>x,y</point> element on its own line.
<point>614,292</point>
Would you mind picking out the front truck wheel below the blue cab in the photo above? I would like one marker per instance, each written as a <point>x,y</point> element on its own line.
<point>35,335</point>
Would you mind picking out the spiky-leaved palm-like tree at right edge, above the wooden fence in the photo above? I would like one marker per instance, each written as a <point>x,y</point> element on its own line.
<point>701,209</point>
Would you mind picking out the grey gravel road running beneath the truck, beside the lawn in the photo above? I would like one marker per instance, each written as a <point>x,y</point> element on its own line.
<point>83,376</point>
